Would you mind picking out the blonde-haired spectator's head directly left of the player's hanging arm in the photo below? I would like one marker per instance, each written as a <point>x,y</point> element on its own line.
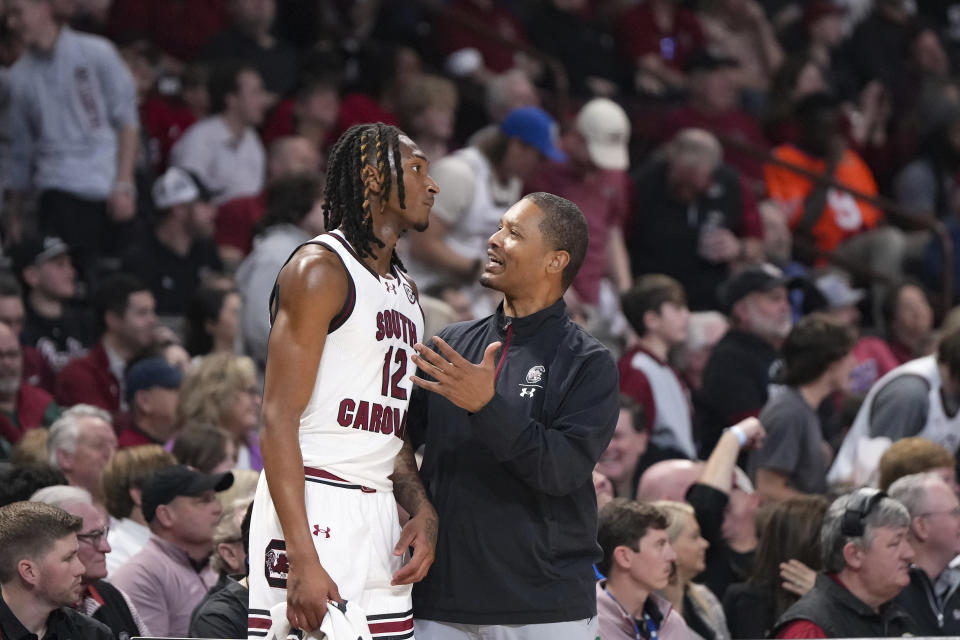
<point>222,390</point>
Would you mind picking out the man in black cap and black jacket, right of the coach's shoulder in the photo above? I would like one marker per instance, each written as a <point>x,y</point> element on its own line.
<point>744,362</point>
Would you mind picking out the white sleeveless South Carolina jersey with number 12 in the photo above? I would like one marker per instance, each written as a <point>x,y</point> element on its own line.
<point>354,423</point>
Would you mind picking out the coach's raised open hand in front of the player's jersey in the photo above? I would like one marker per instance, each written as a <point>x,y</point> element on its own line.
<point>467,385</point>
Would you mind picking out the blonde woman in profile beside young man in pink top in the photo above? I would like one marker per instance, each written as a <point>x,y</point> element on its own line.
<point>701,610</point>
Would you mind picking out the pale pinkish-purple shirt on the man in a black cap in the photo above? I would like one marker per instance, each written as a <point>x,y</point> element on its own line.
<point>164,586</point>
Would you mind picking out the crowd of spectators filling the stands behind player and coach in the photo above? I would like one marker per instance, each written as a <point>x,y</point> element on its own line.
<point>766,184</point>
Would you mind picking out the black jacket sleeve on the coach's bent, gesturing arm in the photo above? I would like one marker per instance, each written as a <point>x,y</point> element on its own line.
<point>559,457</point>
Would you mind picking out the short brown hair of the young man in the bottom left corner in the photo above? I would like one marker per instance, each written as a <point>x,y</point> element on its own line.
<point>29,530</point>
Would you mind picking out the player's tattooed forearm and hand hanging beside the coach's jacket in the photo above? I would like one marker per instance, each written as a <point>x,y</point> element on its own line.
<point>420,531</point>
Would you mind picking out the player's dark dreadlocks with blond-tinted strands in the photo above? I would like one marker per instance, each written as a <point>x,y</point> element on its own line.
<point>347,204</point>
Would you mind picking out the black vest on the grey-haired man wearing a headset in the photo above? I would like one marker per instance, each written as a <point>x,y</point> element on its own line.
<point>841,614</point>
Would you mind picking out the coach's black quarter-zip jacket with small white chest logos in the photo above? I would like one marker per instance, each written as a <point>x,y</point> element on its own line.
<point>512,483</point>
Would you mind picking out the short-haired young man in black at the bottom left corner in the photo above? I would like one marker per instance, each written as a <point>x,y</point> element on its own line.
<point>40,575</point>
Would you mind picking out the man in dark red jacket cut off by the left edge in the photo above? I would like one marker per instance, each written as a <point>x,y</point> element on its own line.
<point>22,405</point>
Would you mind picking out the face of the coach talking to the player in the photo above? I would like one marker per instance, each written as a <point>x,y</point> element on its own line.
<point>517,254</point>
